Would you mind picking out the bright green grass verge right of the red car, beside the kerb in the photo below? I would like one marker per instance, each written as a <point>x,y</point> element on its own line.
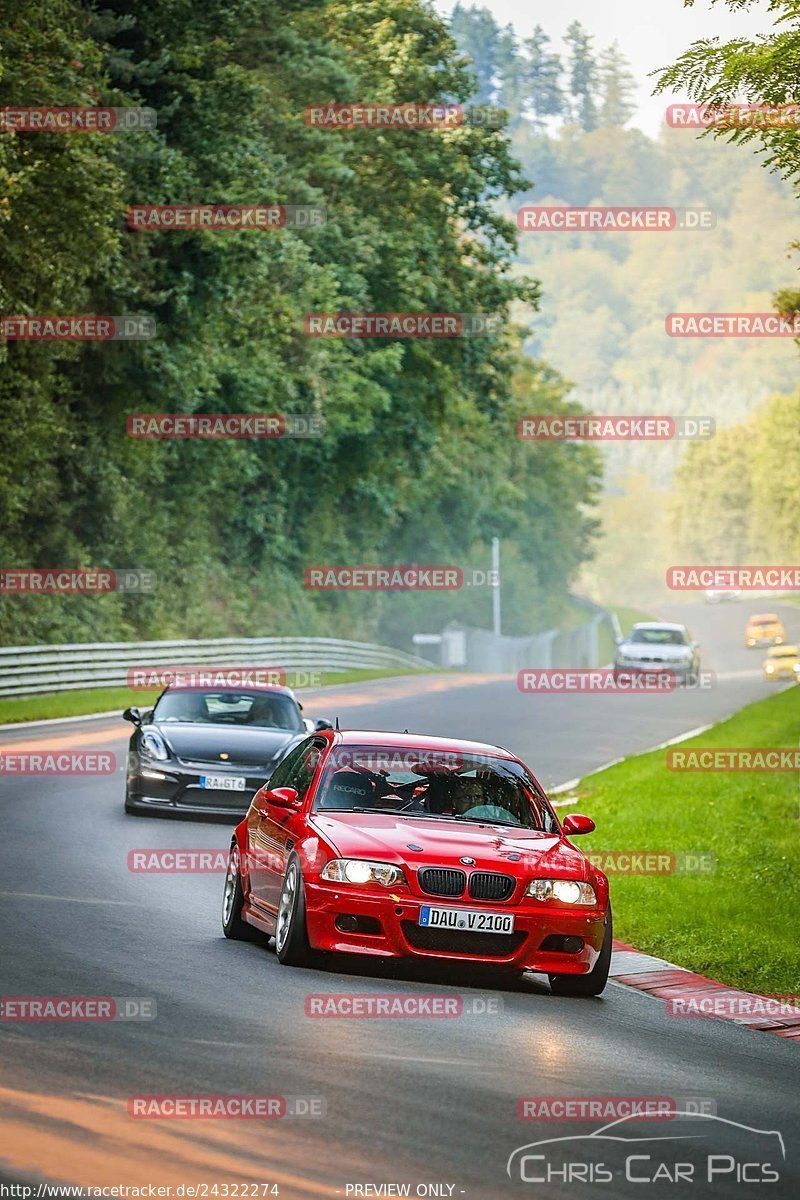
<point>741,923</point>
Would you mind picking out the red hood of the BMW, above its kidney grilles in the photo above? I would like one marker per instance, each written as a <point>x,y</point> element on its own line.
<point>388,838</point>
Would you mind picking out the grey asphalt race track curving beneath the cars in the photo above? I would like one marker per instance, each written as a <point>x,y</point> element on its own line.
<point>419,1102</point>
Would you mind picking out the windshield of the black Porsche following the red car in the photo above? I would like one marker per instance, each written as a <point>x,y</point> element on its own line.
<point>254,710</point>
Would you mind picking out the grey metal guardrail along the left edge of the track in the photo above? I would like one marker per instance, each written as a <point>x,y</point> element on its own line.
<point>28,670</point>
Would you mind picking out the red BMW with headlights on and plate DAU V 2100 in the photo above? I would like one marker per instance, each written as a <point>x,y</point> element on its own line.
<point>408,847</point>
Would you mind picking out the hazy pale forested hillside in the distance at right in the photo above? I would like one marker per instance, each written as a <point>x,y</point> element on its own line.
<point>606,296</point>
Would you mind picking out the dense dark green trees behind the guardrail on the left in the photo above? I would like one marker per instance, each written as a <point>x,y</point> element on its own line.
<point>419,463</point>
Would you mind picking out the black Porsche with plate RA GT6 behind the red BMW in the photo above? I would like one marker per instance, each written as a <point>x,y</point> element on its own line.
<point>209,751</point>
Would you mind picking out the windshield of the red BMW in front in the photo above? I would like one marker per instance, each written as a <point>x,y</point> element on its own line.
<point>432,784</point>
